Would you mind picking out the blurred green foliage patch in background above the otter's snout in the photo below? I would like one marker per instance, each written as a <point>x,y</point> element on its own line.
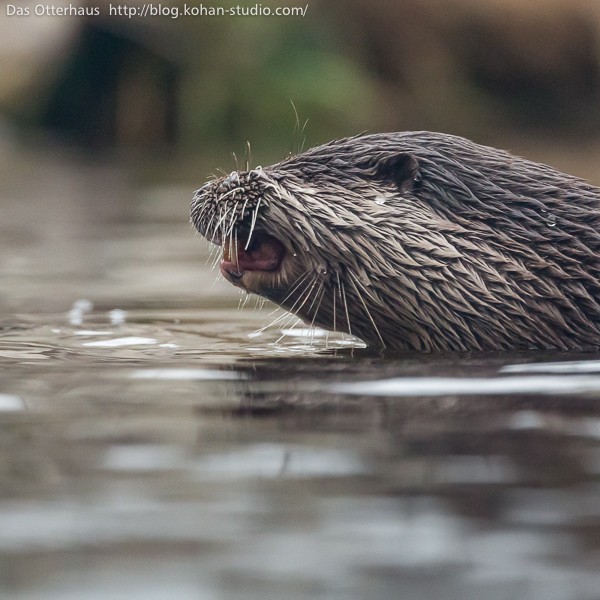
<point>247,75</point>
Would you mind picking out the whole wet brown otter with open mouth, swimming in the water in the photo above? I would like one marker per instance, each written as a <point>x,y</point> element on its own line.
<point>415,241</point>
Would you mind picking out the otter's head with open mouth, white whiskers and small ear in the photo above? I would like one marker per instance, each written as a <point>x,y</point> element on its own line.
<point>302,232</point>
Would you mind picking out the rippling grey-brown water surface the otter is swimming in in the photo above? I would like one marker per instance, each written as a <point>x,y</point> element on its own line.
<point>157,444</point>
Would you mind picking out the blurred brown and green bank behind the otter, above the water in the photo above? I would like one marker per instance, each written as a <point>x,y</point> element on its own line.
<point>188,91</point>
